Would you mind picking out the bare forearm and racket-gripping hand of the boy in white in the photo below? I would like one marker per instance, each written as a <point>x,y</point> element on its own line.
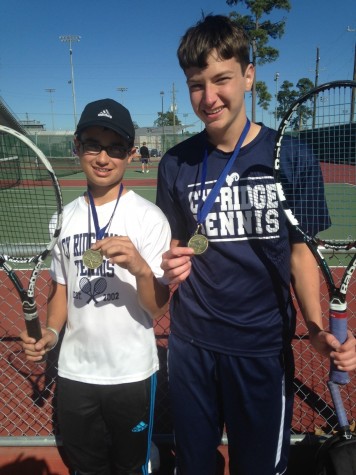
<point>56,318</point>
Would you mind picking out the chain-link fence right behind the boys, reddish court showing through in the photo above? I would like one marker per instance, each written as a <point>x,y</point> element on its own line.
<point>28,391</point>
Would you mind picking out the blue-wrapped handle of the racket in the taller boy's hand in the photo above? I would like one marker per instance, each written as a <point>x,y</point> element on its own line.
<point>338,327</point>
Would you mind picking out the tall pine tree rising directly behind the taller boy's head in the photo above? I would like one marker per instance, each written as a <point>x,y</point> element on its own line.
<point>260,32</point>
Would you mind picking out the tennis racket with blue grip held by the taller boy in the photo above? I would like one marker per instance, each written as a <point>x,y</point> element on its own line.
<point>315,173</point>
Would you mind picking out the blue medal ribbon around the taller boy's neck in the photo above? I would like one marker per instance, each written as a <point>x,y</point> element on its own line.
<point>204,209</point>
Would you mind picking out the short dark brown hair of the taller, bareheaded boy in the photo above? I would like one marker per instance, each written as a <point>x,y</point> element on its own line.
<point>213,32</point>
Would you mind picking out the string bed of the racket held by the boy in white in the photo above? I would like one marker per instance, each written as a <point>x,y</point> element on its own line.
<point>28,199</point>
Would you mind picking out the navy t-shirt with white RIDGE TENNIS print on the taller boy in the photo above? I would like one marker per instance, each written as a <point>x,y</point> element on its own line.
<point>237,298</point>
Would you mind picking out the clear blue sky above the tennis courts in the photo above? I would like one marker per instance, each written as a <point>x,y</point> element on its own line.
<point>132,44</point>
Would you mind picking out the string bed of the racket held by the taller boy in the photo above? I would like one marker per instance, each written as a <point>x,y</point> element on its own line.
<point>318,165</point>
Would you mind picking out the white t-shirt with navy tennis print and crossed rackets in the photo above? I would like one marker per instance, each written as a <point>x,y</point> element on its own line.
<point>109,338</point>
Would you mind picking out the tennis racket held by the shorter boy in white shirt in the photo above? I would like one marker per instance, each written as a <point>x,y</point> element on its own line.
<point>30,216</point>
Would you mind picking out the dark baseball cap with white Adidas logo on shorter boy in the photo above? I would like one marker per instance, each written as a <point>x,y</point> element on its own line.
<point>110,114</point>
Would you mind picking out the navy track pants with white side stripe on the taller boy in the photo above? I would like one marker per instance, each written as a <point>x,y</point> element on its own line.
<point>251,398</point>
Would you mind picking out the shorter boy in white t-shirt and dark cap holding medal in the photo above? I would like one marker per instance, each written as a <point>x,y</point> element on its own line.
<point>106,291</point>
